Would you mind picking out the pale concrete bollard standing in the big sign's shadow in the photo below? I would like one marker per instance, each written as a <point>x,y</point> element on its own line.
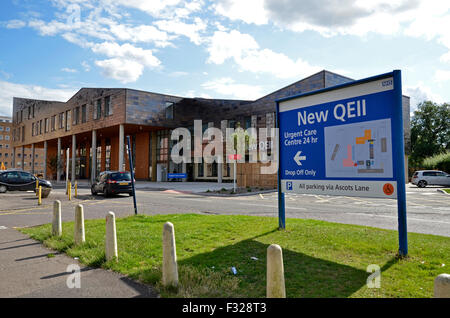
<point>275,272</point>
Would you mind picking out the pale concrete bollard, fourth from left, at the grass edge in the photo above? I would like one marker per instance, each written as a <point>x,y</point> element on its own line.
<point>170,268</point>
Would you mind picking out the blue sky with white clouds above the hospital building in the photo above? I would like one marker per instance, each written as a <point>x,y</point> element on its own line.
<point>218,49</point>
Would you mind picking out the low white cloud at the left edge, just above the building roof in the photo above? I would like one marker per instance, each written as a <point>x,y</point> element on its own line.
<point>9,90</point>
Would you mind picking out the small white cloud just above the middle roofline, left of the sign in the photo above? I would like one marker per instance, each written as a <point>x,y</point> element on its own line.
<point>227,87</point>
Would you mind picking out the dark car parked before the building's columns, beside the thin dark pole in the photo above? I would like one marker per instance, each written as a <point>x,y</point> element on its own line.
<point>112,182</point>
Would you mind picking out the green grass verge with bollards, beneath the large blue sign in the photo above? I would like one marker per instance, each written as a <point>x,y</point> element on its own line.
<point>321,259</point>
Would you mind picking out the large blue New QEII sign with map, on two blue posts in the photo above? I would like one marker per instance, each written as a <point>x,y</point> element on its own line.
<point>344,140</point>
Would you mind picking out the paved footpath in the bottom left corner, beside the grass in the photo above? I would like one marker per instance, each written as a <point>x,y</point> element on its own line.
<point>27,271</point>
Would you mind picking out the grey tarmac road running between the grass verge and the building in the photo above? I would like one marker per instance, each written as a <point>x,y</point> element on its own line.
<point>428,210</point>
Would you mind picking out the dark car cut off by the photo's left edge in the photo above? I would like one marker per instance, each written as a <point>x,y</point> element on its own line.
<point>18,180</point>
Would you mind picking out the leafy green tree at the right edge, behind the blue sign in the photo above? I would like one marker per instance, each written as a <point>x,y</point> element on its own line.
<point>430,131</point>
